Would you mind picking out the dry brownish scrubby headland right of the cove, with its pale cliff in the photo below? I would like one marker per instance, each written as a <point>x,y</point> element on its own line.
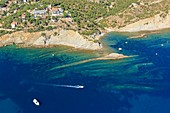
<point>139,11</point>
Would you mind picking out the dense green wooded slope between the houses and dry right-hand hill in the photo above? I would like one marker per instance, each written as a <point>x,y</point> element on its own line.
<point>85,13</point>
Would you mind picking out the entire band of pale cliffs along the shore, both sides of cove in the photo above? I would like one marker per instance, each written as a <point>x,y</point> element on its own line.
<point>74,39</point>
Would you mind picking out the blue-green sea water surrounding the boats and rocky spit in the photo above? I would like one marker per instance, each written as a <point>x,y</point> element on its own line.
<point>135,85</point>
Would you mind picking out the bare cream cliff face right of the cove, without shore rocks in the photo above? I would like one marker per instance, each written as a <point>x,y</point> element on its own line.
<point>159,21</point>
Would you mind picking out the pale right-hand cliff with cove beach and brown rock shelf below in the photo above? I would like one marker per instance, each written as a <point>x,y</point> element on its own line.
<point>144,27</point>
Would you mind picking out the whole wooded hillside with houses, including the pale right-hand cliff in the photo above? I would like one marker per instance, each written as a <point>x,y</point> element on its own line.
<point>90,18</point>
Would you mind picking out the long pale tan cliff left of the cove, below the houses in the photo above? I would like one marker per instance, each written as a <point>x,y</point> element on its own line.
<point>50,38</point>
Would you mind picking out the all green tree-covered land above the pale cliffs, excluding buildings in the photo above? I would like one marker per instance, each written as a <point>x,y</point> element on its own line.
<point>88,17</point>
